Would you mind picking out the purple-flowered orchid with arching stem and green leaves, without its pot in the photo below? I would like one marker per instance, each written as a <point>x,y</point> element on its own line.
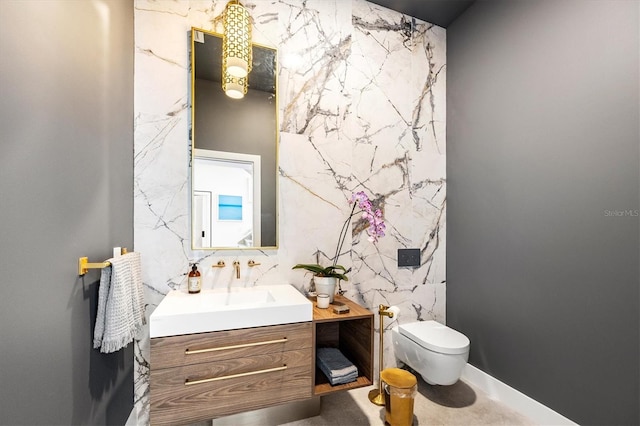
<point>375,230</point>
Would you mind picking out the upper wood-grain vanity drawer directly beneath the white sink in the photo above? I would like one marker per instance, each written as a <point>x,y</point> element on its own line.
<point>222,345</point>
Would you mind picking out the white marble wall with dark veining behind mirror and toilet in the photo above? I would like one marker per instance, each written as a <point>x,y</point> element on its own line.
<point>361,107</point>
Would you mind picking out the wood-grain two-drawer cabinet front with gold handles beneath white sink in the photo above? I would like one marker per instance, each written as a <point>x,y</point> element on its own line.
<point>202,376</point>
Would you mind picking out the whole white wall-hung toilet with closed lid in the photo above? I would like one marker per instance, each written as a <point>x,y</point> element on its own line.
<point>437,352</point>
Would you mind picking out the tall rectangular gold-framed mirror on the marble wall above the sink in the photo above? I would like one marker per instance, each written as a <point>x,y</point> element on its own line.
<point>234,163</point>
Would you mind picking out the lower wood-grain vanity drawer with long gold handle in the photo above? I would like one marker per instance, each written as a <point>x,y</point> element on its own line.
<point>198,392</point>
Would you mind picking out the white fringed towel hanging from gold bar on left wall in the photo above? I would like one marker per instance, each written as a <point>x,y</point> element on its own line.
<point>120,303</point>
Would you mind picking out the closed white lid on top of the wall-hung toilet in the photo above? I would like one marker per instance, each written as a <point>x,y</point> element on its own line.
<point>436,337</point>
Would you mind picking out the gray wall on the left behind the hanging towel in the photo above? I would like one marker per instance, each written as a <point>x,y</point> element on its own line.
<point>66,190</point>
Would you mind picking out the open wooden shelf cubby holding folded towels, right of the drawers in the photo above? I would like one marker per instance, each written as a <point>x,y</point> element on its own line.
<point>352,333</point>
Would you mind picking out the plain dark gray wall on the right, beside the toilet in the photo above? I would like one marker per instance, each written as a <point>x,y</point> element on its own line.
<point>543,149</point>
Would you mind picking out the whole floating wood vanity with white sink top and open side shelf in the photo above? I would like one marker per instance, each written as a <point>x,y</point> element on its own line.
<point>197,375</point>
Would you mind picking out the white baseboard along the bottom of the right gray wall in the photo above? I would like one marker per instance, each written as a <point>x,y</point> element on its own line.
<point>512,398</point>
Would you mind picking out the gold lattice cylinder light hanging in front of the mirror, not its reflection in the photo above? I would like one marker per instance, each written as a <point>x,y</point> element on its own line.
<point>236,41</point>
